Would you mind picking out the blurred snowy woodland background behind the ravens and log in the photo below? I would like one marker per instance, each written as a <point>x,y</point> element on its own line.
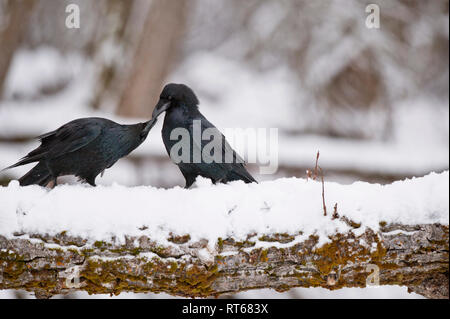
<point>373,101</point>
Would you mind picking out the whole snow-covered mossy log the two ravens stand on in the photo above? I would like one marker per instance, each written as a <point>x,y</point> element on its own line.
<point>217,239</point>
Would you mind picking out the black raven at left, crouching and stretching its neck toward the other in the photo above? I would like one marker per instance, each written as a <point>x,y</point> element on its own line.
<point>84,147</point>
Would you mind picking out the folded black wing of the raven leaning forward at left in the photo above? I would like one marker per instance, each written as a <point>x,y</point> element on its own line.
<point>66,139</point>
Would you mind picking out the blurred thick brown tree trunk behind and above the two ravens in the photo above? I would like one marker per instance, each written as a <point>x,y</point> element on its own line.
<point>157,49</point>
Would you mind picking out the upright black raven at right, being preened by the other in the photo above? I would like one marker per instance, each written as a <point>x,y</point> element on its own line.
<point>218,161</point>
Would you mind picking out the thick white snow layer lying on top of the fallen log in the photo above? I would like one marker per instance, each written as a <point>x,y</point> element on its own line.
<point>207,211</point>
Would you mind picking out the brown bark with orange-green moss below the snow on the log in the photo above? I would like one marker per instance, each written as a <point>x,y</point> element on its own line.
<point>415,256</point>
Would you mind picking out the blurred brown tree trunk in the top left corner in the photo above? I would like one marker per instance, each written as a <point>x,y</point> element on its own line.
<point>11,34</point>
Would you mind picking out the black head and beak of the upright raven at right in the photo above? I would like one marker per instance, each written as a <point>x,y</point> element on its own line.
<point>174,95</point>
